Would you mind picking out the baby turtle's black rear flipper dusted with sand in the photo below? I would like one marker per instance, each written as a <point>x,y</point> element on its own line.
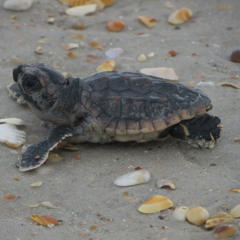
<point>202,131</point>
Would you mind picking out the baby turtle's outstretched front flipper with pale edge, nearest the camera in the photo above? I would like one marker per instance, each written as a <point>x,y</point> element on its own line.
<point>35,155</point>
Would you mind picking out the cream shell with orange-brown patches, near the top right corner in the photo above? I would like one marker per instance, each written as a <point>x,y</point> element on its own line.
<point>180,16</point>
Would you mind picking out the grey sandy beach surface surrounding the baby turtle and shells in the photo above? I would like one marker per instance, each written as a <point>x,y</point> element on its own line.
<point>89,205</point>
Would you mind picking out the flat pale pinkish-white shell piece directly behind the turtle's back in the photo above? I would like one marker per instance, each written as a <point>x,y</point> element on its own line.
<point>162,72</point>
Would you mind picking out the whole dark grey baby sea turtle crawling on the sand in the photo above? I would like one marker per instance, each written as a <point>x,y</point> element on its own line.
<point>111,106</point>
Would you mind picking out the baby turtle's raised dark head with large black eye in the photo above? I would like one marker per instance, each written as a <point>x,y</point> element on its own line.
<point>40,86</point>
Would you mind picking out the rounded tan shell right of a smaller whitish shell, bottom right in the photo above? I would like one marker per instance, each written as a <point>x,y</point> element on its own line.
<point>197,215</point>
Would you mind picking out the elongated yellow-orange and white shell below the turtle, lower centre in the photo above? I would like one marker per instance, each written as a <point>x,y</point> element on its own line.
<point>155,204</point>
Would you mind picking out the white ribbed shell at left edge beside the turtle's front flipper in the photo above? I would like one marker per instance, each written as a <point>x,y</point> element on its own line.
<point>11,136</point>
